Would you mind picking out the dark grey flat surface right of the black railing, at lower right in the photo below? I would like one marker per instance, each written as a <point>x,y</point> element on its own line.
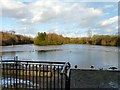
<point>94,79</point>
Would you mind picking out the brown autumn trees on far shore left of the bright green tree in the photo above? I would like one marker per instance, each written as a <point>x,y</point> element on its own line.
<point>13,39</point>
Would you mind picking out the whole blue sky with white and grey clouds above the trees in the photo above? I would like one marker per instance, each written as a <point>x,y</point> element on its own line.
<point>70,18</point>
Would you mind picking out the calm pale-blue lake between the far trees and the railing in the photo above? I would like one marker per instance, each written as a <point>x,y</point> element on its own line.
<point>77,54</point>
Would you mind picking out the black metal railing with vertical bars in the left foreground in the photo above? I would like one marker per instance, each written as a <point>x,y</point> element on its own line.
<point>35,74</point>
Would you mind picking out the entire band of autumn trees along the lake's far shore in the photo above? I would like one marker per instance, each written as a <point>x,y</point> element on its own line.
<point>44,39</point>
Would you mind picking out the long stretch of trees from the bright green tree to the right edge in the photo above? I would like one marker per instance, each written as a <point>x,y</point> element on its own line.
<point>44,38</point>
